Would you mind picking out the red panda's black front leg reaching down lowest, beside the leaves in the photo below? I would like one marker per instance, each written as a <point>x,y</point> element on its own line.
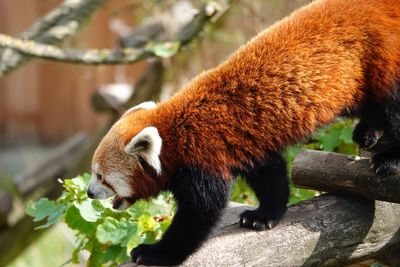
<point>201,198</point>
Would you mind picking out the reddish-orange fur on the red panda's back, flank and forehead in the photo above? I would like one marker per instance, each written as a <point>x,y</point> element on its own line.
<point>273,92</point>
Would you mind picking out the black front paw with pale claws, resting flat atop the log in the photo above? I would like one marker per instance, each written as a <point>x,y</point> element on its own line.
<point>258,220</point>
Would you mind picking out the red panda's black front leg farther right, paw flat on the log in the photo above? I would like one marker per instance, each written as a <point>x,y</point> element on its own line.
<point>269,181</point>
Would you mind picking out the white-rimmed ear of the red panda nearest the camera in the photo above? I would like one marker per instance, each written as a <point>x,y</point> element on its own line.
<point>147,144</point>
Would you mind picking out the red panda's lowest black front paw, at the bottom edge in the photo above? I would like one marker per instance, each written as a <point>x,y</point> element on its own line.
<point>153,255</point>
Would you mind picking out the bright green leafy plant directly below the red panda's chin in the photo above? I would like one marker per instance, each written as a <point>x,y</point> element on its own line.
<point>108,235</point>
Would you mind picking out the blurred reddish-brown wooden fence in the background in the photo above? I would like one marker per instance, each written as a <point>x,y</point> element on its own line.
<point>45,102</point>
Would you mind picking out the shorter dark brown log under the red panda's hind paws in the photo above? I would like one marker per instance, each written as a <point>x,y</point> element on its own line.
<point>337,173</point>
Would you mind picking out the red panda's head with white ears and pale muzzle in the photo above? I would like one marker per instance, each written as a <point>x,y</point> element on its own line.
<point>126,164</point>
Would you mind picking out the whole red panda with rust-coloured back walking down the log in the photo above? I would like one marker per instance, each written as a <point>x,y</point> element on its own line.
<point>329,58</point>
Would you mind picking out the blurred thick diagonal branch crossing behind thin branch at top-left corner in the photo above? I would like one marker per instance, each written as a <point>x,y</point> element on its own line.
<point>57,25</point>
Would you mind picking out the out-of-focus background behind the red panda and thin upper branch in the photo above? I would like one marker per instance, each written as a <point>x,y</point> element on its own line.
<point>52,114</point>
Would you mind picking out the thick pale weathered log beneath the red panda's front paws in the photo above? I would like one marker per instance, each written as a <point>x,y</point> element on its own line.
<point>324,231</point>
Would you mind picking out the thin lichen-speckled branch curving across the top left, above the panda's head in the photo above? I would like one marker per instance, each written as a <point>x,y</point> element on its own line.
<point>113,56</point>
